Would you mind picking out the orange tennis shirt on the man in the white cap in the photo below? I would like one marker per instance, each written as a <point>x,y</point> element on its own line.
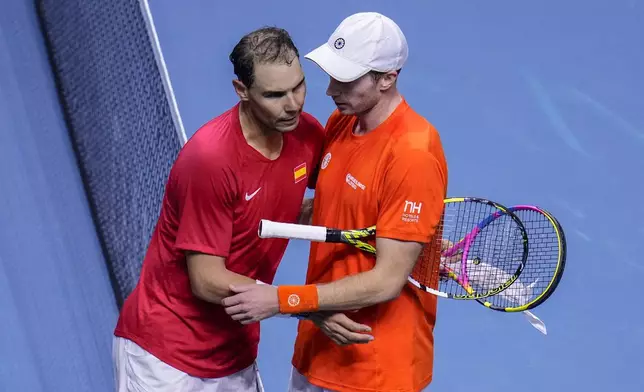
<point>395,177</point>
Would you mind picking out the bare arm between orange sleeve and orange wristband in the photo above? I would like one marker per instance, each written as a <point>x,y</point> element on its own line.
<point>394,263</point>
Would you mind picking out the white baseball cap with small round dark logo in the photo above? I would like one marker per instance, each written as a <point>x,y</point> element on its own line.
<point>363,42</point>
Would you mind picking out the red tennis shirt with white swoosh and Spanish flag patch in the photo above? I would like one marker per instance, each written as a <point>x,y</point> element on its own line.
<point>218,190</point>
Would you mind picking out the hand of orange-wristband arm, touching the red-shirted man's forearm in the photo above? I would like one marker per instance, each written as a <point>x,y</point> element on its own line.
<point>251,302</point>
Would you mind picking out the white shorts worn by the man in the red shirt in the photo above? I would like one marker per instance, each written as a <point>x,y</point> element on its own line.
<point>136,370</point>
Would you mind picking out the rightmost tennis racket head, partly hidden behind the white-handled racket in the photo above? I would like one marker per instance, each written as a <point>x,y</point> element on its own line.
<point>544,267</point>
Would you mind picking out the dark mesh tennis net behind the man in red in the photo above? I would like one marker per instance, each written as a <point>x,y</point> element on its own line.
<point>119,118</point>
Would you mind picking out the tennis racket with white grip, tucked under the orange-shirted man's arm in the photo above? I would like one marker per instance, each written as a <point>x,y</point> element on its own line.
<point>470,229</point>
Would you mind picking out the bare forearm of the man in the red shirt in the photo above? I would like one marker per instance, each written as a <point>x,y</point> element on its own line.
<point>210,279</point>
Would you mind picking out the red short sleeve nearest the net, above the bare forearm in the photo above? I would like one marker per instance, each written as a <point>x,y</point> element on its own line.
<point>205,198</point>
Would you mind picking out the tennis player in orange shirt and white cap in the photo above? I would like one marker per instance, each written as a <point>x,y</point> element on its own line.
<point>383,164</point>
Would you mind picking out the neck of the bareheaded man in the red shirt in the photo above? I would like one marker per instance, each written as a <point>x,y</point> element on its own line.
<point>265,140</point>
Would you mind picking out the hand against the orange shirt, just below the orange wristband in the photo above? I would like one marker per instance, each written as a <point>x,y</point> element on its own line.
<point>341,329</point>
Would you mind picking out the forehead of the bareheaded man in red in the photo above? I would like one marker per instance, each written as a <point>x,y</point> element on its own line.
<point>278,76</point>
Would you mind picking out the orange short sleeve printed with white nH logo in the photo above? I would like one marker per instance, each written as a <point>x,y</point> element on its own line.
<point>411,197</point>
